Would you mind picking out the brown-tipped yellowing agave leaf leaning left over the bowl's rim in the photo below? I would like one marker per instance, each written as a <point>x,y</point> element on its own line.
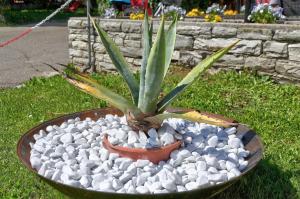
<point>91,87</point>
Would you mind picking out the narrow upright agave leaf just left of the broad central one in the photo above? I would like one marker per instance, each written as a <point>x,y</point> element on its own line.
<point>147,48</point>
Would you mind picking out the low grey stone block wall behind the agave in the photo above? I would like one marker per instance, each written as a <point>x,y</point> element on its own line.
<point>268,49</point>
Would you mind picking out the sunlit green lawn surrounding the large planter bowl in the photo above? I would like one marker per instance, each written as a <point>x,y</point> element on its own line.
<point>272,110</point>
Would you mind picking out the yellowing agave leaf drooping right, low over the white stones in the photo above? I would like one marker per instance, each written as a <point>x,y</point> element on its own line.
<point>194,116</point>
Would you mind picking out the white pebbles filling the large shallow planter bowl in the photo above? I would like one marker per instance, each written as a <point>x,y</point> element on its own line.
<point>72,153</point>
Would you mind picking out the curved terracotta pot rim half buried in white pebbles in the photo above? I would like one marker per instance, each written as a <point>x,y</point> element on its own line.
<point>154,155</point>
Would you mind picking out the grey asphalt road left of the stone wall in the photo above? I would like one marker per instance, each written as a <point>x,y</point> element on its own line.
<point>26,57</point>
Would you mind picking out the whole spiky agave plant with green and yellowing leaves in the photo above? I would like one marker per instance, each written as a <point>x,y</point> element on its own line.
<point>147,109</point>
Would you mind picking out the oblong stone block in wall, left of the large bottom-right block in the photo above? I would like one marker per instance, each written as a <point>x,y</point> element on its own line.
<point>260,64</point>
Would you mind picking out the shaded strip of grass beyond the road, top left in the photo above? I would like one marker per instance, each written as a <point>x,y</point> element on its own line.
<point>19,17</point>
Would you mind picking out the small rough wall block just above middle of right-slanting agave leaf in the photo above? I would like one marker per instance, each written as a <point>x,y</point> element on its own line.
<point>190,58</point>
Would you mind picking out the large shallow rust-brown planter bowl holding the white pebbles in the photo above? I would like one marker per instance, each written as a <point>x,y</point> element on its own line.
<point>251,141</point>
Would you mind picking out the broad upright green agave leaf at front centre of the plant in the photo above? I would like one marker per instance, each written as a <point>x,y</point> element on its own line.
<point>154,72</point>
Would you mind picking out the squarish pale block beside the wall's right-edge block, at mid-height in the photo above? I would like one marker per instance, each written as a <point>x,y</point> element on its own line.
<point>275,49</point>
